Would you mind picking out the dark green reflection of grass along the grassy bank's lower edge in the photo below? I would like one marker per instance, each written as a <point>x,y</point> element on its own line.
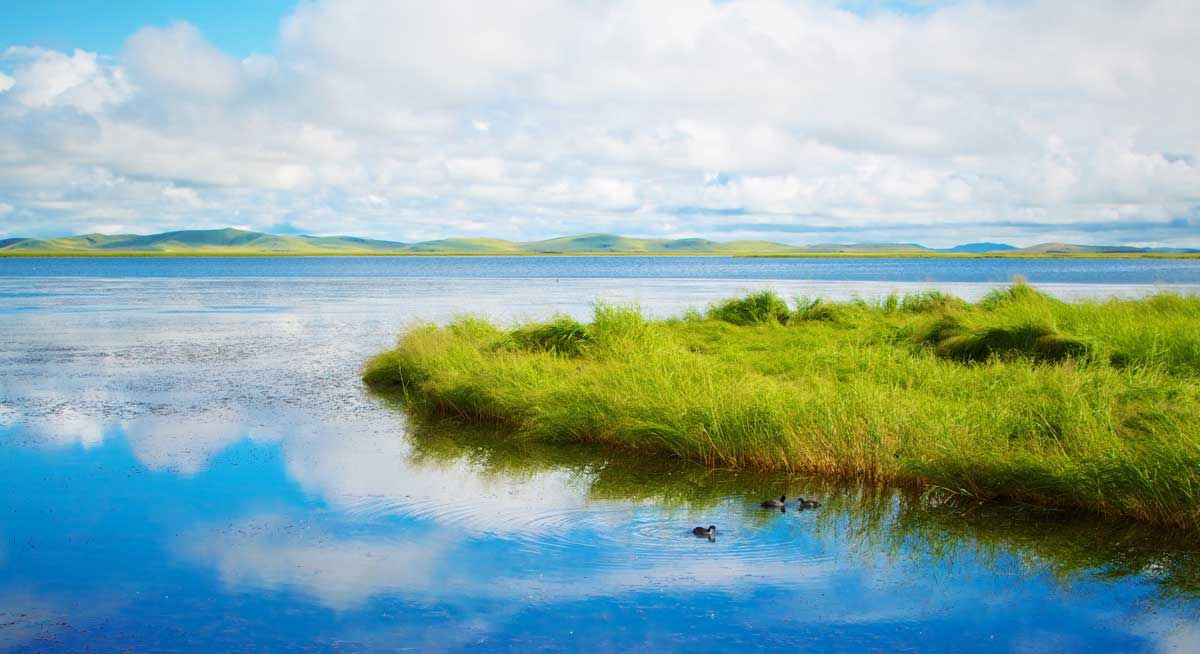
<point>866,520</point>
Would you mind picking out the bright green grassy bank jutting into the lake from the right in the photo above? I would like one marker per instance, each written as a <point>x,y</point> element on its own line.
<point>1093,406</point>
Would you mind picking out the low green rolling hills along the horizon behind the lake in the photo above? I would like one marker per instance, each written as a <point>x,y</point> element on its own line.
<point>239,242</point>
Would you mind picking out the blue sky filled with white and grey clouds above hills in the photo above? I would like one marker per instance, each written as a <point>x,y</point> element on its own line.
<point>801,122</point>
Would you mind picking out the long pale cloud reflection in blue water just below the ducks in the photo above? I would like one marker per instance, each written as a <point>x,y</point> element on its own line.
<point>274,553</point>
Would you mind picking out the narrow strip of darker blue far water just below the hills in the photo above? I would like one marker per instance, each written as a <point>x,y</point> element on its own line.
<point>983,271</point>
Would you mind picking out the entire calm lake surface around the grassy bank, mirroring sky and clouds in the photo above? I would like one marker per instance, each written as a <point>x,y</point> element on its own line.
<point>189,463</point>
